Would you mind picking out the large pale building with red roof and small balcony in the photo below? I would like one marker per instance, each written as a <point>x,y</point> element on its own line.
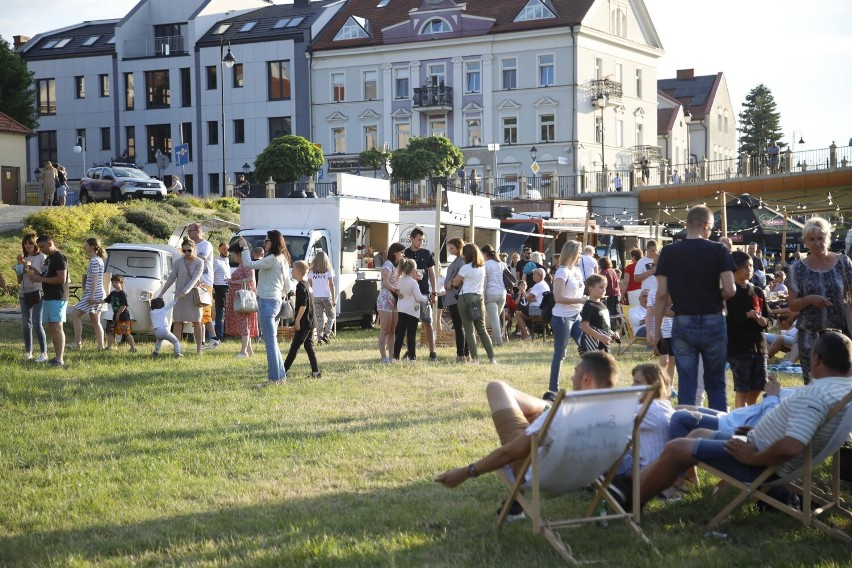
<point>519,73</point>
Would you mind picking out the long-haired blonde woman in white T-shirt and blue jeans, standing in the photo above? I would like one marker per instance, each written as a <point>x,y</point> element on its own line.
<point>569,300</point>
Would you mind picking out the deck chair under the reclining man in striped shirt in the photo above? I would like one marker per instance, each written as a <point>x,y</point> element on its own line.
<point>800,481</point>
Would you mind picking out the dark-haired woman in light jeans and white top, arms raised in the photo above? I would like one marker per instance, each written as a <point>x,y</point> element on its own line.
<point>273,284</point>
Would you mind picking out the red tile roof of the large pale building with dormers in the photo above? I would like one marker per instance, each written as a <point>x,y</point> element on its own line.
<point>568,12</point>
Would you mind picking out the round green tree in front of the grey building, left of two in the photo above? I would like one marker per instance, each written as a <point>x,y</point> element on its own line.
<point>288,158</point>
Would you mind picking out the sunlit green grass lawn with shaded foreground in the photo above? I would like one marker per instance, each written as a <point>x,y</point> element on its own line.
<point>124,460</point>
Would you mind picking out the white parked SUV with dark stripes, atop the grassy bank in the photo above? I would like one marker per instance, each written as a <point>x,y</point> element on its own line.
<point>116,182</point>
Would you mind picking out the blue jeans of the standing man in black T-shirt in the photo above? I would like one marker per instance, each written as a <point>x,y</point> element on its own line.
<point>707,336</point>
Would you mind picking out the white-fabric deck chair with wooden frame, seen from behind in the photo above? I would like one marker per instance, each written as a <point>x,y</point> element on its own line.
<point>581,443</point>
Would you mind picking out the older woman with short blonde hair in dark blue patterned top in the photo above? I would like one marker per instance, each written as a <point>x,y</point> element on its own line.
<point>817,288</point>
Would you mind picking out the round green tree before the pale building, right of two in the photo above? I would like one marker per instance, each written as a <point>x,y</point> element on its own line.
<point>429,156</point>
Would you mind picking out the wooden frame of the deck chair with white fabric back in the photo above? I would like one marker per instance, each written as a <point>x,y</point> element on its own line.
<point>600,483</point>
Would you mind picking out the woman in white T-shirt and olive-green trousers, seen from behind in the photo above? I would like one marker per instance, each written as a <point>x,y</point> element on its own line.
<point>471,284</point>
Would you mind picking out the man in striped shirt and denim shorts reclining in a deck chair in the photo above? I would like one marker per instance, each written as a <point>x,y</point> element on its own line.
<point>779,438</point>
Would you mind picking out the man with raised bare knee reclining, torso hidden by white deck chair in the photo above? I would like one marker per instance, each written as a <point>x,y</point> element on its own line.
<point>518,415</point>
